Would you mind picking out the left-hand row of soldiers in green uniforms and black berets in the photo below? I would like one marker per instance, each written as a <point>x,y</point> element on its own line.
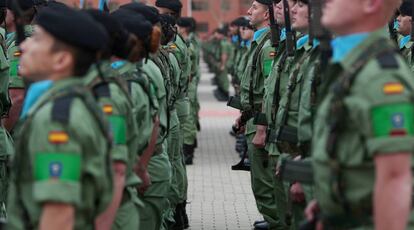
<point>99,109</point>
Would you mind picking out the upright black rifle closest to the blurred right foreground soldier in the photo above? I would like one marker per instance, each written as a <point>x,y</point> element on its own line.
<point>320,33</point>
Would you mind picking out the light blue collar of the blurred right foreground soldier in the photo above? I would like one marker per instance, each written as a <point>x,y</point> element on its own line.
<point>360,45</point>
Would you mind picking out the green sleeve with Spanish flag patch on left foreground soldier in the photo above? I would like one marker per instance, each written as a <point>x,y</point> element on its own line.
<point>57,164</point>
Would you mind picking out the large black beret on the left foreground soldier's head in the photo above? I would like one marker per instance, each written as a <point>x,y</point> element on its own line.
<point>84,32</point>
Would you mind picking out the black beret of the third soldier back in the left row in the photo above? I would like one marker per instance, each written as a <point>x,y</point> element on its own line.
<point>134,23</point>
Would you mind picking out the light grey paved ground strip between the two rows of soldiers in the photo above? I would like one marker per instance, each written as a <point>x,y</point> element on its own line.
<point>220,199</point>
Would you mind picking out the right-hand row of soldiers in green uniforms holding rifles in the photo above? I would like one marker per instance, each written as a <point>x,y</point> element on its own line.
<point>326,101</point>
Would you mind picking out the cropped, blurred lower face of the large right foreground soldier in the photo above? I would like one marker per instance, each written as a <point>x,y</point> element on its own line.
<point>341,16</point>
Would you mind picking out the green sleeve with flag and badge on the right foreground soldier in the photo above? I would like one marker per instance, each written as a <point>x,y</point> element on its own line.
<point>390,114</point>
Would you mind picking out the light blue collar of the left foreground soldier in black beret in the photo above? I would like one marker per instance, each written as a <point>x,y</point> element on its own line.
<point>34,93</point>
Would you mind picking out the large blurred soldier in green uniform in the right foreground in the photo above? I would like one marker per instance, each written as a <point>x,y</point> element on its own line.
<point>362,156</point>
